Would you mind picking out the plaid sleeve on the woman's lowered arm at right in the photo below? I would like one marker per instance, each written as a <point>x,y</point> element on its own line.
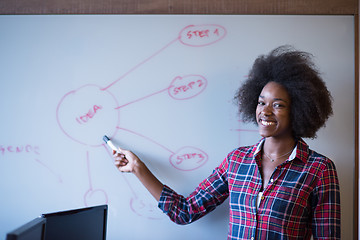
<point>326,205</point>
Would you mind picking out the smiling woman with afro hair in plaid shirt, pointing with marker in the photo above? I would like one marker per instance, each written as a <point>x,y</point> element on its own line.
<point>278,188</point>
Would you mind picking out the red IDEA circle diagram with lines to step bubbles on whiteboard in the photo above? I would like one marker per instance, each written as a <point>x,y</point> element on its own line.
<point>92,110</point>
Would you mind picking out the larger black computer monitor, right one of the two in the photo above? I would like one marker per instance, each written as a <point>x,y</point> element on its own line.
<point>84,223</point>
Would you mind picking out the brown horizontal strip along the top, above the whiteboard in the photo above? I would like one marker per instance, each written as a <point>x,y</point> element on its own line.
<point>332,7</point>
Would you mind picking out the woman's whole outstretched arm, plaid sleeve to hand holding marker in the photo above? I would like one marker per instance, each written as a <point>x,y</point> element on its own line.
<point>180,209</point>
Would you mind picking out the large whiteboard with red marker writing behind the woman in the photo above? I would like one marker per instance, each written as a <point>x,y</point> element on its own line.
<point>159,85</point>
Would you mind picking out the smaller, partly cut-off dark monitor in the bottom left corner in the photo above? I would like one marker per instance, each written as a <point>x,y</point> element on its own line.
<point>33,230</point>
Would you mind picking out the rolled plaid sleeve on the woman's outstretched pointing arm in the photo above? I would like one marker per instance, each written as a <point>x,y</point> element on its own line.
<point>210,193</point>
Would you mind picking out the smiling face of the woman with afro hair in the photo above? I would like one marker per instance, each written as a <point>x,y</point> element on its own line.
<point>273,112</point>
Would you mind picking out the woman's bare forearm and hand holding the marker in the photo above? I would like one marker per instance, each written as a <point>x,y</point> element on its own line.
<point>126,161</point>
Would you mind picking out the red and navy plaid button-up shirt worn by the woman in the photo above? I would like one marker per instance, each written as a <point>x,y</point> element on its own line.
<point>301,199</point>
